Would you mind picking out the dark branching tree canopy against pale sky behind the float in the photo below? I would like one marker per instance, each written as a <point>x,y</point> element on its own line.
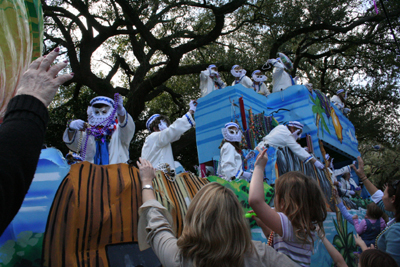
<point>151,52</point>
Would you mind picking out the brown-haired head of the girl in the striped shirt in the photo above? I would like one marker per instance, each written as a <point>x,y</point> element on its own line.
<point>300,198</point>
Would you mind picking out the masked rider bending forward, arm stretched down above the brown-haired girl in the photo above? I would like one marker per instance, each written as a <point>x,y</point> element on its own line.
<point>286,136</point>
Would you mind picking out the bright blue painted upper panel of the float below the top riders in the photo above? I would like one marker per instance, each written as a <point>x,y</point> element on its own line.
<point>295,103</point>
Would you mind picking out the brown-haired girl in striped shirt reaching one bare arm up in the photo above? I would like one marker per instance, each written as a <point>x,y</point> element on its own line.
<point>299,209</point>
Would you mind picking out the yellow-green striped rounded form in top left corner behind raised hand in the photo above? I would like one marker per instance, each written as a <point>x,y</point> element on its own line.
<point>21,41</point>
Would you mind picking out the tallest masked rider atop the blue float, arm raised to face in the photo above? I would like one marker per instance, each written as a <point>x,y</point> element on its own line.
<point>280,78</point>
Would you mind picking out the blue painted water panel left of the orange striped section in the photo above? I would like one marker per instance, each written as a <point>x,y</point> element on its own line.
<point>23,238</point>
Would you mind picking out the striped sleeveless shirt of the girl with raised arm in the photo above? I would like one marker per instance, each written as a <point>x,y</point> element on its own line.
<point>289,244</point>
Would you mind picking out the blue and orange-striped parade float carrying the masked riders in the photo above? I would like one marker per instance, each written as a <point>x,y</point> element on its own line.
<point>86,214</point>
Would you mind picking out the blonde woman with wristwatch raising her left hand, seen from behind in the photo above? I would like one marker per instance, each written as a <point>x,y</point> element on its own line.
<point>215,232</point>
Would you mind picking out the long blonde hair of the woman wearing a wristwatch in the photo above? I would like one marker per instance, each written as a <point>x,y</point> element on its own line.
<point>216,232</point>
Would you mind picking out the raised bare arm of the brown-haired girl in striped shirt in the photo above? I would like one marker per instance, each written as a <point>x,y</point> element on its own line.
<point>256,196</point>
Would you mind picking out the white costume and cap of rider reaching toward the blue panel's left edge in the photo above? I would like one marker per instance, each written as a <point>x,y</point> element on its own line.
<point>157,147</point>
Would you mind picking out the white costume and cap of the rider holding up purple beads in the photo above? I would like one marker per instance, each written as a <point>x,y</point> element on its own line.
<point>118,146</point>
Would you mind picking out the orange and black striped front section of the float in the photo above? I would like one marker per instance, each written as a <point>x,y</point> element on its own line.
<point>96,206</point>
